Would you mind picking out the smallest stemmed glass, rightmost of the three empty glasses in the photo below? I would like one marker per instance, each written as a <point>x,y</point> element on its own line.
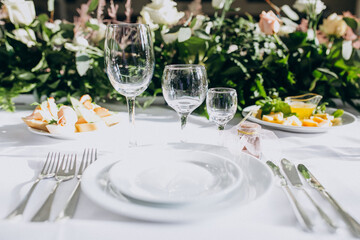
<point>221,105</point>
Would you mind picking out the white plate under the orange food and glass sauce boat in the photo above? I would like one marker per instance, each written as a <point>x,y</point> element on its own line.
<point>347,119</point>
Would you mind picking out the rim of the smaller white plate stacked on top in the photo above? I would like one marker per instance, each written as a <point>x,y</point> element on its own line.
<point>216,196</point>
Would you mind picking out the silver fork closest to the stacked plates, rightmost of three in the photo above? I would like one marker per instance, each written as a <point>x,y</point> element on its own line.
<point>68,212</point>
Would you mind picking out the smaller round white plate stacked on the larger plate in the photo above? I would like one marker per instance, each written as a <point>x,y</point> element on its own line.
<point>175,177</point>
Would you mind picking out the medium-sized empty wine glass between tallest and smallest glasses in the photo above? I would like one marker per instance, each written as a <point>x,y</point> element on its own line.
<point>184,88</point>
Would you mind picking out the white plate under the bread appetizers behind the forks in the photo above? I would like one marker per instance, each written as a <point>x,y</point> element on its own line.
<point>70,136</point>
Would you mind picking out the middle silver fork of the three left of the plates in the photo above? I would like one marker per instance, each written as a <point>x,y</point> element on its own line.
<point>65,172</point>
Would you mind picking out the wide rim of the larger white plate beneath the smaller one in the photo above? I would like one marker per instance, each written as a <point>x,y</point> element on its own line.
<point>151,213</point>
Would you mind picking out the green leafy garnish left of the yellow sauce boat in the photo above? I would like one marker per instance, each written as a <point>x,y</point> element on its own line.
<point>274,105</point>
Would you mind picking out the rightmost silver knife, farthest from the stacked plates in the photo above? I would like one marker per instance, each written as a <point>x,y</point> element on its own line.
<point>353,225</point>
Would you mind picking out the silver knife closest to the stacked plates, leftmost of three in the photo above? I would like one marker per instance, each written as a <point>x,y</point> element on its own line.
<point>298,210</point>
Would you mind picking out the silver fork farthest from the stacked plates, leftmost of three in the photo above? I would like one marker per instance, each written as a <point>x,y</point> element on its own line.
<point>48,171</point>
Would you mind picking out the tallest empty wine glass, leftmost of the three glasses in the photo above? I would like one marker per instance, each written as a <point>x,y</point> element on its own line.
<point>129,63</point>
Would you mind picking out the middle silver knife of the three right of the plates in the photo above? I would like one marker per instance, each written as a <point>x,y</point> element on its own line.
<point>293,176</point>
